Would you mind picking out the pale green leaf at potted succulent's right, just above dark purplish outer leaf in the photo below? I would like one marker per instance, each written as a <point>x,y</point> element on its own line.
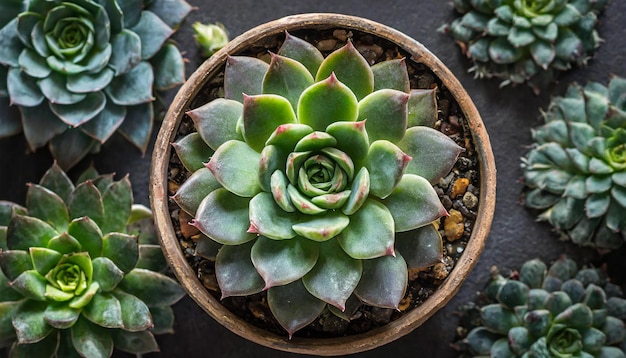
<point>413,203</point>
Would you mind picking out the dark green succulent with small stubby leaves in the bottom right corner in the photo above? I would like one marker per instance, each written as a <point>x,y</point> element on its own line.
<point>555,312</point>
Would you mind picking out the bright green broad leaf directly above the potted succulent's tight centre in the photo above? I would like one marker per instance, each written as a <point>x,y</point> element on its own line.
<point>327,102</point>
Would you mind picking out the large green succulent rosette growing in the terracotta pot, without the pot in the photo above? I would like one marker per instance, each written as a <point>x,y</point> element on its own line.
<point>319,180</point>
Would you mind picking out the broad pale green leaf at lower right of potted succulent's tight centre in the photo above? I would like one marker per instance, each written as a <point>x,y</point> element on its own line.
<point>370,233</point>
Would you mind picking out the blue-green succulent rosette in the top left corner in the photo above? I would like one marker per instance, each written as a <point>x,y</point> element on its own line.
<point>77,69</point>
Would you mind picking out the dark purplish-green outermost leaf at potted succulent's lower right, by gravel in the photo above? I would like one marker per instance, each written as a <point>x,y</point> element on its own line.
<point>421,247</point>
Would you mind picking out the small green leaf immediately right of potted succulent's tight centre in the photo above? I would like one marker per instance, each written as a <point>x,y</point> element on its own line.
<point>386,164</point>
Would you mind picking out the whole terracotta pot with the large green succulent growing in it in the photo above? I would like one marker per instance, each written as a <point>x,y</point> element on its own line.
<point>304,168</point>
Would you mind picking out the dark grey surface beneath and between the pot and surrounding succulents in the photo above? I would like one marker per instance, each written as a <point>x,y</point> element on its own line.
<point>508,114</point>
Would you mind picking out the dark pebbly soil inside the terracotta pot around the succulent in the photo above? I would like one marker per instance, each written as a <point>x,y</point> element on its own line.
<point>459,192</point>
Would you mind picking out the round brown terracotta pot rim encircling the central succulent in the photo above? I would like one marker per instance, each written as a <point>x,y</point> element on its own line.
<point>327,346</point>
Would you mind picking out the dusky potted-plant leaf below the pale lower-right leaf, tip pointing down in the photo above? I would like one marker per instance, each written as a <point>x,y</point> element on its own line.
<point>383,282</point>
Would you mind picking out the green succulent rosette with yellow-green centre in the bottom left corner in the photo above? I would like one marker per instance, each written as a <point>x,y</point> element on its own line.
<point>80,271</point>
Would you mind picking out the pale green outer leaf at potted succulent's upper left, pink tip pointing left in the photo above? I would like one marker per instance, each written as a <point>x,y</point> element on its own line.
<point>216,121</point>
